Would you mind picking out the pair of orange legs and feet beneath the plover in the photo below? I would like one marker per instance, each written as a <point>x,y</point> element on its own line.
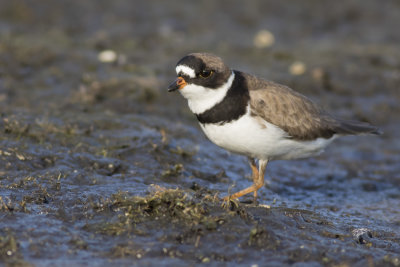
<point>258,180</point>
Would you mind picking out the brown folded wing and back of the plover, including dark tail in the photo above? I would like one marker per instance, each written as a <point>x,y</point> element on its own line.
<point>296,114</point>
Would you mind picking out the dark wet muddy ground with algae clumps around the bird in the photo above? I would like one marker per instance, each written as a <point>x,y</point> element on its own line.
<point>100,166</point>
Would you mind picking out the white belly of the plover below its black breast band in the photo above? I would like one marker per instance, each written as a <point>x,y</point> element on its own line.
<point>260,139</point>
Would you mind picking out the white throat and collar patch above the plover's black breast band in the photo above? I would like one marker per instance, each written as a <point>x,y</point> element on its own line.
<point>201,98</point>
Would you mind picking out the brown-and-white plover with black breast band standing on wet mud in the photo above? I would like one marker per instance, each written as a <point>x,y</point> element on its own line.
<point>255,117</point>
